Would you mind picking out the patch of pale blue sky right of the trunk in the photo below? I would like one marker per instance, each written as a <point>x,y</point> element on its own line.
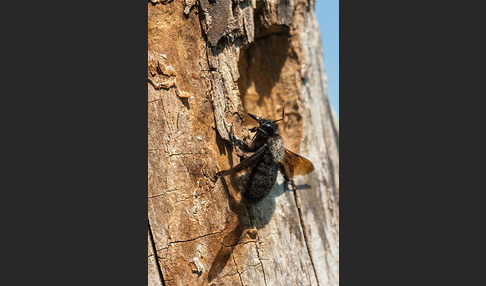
<point>327,13</point>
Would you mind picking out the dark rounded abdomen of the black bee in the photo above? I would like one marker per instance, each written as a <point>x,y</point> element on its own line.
<point>260,182</point>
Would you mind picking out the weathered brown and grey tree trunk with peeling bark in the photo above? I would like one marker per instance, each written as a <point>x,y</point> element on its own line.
<point>209,63</point>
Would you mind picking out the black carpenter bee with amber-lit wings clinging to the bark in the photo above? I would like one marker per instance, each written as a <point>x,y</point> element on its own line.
<point>257,174</point>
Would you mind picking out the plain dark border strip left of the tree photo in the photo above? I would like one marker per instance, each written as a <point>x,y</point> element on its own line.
<point>76,130</point>
